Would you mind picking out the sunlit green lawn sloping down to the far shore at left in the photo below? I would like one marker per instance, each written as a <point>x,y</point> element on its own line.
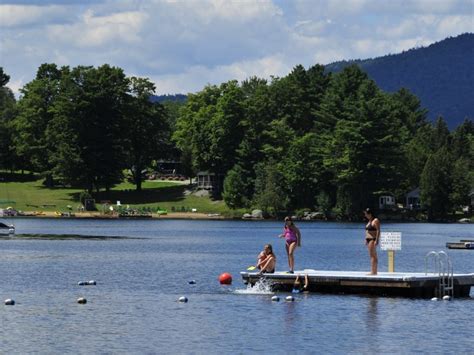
<point>33,196</point>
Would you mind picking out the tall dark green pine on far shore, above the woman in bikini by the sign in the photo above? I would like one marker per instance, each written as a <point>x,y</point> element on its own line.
<point>364,150</point>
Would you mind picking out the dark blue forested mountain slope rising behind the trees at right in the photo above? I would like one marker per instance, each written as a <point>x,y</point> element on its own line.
<point>441,75</point>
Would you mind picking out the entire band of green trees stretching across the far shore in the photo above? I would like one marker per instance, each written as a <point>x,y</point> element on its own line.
<point>309,140</point>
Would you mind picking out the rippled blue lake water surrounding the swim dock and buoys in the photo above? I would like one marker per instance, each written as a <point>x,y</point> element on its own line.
<point>134,309</point>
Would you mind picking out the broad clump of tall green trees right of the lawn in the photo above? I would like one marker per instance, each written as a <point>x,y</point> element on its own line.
<point>311,140</point>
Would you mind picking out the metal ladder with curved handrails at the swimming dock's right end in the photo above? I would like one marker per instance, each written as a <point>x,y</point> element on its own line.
<point>444,268</point>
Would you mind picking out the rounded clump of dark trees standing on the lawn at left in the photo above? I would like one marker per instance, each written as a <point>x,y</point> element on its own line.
<point>83,127</point>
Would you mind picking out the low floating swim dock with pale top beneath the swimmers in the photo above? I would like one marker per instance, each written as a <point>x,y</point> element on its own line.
<point>400,284</point>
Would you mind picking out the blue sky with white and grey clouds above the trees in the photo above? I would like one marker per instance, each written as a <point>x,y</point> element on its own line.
<point>184,45</point>
